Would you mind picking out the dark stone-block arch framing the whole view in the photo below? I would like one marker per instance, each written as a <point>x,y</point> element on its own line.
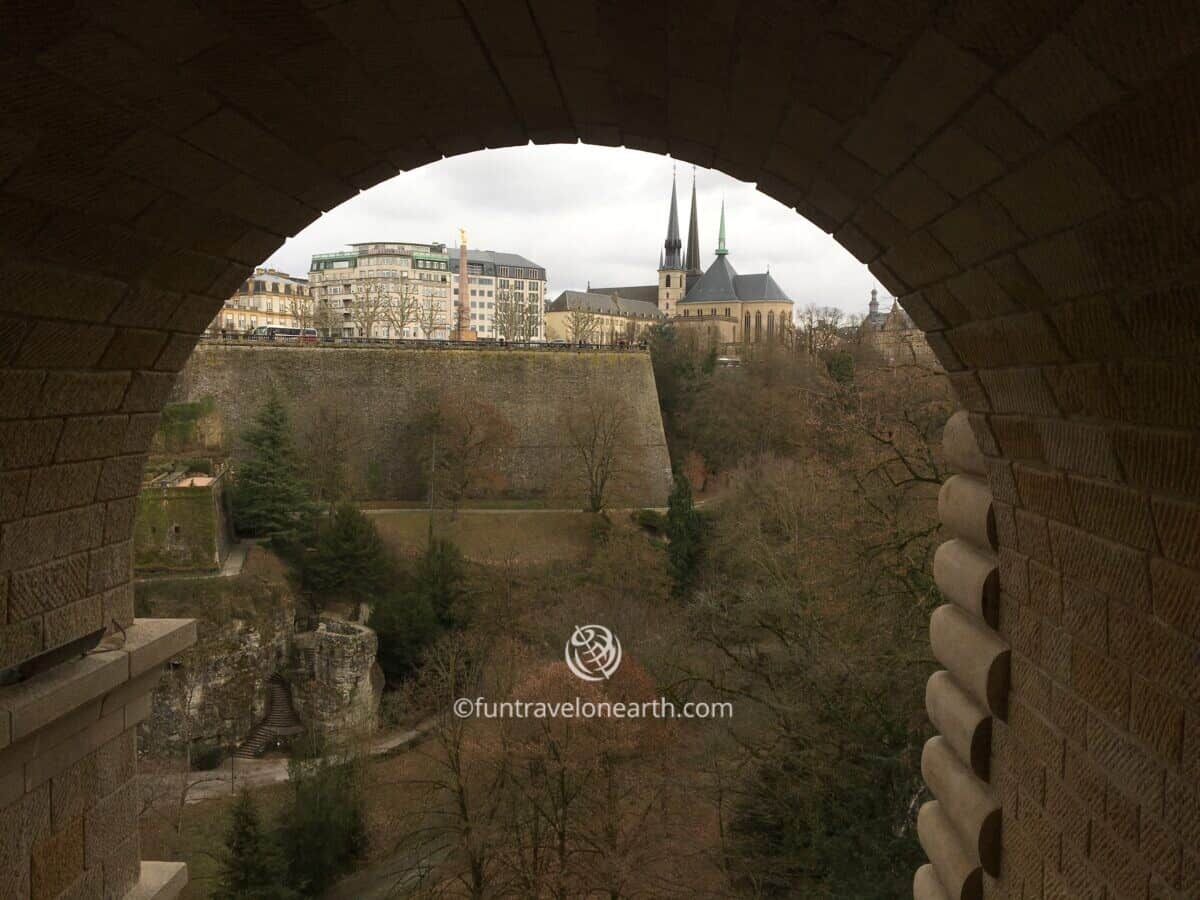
<point>1023,177</point>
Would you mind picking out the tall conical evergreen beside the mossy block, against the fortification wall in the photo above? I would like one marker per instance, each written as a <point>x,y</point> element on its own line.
<point>271,497</point>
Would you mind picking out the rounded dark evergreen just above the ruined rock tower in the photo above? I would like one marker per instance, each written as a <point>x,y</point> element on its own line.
<point>350,561</point>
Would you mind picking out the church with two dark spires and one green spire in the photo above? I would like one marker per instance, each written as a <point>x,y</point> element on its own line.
<point>717,303</point>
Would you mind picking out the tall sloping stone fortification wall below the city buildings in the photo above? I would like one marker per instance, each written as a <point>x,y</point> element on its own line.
<point>536,395</point>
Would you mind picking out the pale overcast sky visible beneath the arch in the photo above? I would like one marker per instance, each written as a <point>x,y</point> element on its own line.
<point>589,213</point>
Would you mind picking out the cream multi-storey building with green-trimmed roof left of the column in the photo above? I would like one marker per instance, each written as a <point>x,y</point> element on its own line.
<point>383,291</point>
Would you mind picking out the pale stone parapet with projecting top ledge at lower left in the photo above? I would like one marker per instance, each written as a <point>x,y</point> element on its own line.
<point>69,805</point>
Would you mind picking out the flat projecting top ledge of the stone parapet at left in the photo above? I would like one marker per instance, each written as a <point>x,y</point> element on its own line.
<point>46,698</point>
